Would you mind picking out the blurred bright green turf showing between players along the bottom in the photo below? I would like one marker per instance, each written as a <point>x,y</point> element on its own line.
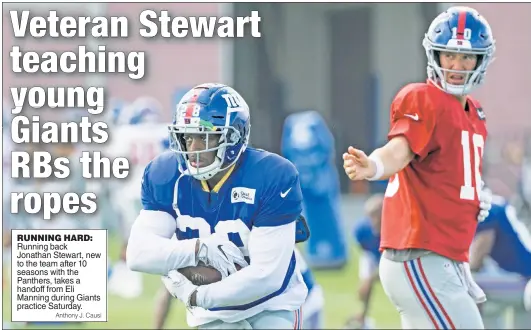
<point>340,303</point>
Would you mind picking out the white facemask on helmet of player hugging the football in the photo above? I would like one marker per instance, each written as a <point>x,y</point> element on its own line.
<point>226,136</point>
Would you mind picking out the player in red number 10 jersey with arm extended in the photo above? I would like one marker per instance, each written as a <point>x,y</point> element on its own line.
<point>434,161</point>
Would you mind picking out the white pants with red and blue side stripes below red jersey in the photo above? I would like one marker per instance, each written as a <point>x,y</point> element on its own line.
<point>430,292</point>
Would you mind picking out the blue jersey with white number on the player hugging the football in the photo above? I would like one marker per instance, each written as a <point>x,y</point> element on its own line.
<point>263,190</point>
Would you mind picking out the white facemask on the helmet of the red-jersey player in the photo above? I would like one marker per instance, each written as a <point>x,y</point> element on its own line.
<point>473,78</point>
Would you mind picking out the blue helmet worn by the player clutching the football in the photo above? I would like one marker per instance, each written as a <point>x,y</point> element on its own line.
<point>217,111</point>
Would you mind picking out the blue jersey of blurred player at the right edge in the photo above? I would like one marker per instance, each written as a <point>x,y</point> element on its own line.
<point>512,245</point>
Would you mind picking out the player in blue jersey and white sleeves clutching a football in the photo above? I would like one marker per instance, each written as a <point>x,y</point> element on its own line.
<point>227,204</point>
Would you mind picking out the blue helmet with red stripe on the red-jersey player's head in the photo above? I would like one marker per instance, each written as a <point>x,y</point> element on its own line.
<point>460,30</point>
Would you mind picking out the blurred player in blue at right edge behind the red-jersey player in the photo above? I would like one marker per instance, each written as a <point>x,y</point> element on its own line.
<point>501,258</point>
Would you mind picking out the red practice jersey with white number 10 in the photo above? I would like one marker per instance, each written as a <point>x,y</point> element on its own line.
<point>433,203</point>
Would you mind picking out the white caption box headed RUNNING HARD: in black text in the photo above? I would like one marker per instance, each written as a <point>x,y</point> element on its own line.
<point>59,275</point>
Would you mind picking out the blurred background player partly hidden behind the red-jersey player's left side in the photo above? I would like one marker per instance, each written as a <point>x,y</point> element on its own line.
<point>367,237</point>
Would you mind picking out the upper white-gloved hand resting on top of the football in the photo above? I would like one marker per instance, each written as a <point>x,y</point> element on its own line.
<point>218,252</point>
